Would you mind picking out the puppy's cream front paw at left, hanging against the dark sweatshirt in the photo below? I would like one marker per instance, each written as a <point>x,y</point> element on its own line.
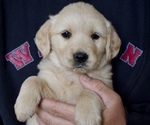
<point>28,99</point>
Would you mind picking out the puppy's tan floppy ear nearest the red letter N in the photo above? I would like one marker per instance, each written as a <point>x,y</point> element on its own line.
<point>113,43</point>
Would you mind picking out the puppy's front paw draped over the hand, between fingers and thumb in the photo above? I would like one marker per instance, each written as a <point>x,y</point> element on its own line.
<point>88,109</point>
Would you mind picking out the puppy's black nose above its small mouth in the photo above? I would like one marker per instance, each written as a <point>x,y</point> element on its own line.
<point>80,57</point>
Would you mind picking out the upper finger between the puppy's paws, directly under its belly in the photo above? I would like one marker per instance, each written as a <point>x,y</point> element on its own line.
<point>58,109</point>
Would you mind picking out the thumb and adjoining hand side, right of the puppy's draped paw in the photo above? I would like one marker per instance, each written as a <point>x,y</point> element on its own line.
<point>114,113</point>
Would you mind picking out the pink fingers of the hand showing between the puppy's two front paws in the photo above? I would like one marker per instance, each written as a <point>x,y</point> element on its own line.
<point>53,112</point>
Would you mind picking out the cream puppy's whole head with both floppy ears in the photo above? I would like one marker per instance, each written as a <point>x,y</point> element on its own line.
<point>79,37</point>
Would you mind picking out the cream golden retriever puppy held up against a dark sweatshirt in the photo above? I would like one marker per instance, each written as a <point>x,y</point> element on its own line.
<point>78,40</point>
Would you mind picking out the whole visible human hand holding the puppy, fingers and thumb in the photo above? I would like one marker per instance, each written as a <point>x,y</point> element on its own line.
<point>52,112</point>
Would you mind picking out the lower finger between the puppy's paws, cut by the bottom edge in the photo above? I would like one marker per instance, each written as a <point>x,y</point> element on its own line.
<point>45,118</point>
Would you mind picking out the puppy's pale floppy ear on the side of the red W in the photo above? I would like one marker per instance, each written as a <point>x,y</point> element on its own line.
<point>42,38</point>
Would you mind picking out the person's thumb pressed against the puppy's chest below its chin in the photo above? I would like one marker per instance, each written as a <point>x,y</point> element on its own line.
<point>107,94</point>
